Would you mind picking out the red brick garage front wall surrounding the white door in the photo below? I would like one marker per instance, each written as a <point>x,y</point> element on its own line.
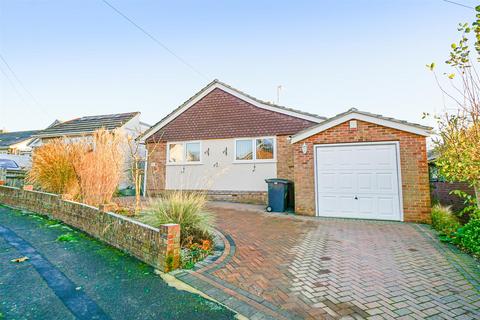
<point>413,162</point>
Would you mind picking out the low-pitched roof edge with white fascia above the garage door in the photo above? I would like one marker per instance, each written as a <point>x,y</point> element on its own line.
<point>355,114</point>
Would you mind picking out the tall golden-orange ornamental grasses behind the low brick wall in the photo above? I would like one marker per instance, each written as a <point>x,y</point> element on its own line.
<point>86,169</point>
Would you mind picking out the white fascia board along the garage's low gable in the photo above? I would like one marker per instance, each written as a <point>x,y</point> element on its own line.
<point>358,116</point>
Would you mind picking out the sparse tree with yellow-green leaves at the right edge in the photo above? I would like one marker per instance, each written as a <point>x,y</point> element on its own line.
<point>458,140</point>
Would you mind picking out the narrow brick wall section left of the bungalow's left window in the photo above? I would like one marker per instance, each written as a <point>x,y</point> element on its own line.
<point>156,171</point>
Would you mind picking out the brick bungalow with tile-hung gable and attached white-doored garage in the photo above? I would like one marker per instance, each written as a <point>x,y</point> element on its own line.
<point>353,165</point>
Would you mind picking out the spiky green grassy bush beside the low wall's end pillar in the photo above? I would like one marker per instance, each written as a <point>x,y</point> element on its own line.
<point>185,209</point>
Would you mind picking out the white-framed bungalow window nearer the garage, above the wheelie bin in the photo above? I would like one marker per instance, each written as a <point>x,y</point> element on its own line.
<point>264,149</point>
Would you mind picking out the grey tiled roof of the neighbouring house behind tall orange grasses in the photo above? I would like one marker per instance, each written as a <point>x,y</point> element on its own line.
<point>87,125</point>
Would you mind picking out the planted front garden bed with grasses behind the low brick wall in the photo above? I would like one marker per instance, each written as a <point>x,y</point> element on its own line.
<point>89,171</point>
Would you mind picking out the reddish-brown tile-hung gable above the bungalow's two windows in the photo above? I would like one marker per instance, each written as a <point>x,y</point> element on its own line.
<point>221,115</point>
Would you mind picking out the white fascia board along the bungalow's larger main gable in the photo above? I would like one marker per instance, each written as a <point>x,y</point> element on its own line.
<point>234,93</point>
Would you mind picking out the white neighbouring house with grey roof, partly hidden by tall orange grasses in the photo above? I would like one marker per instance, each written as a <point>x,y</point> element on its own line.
<point>84,127</point>
